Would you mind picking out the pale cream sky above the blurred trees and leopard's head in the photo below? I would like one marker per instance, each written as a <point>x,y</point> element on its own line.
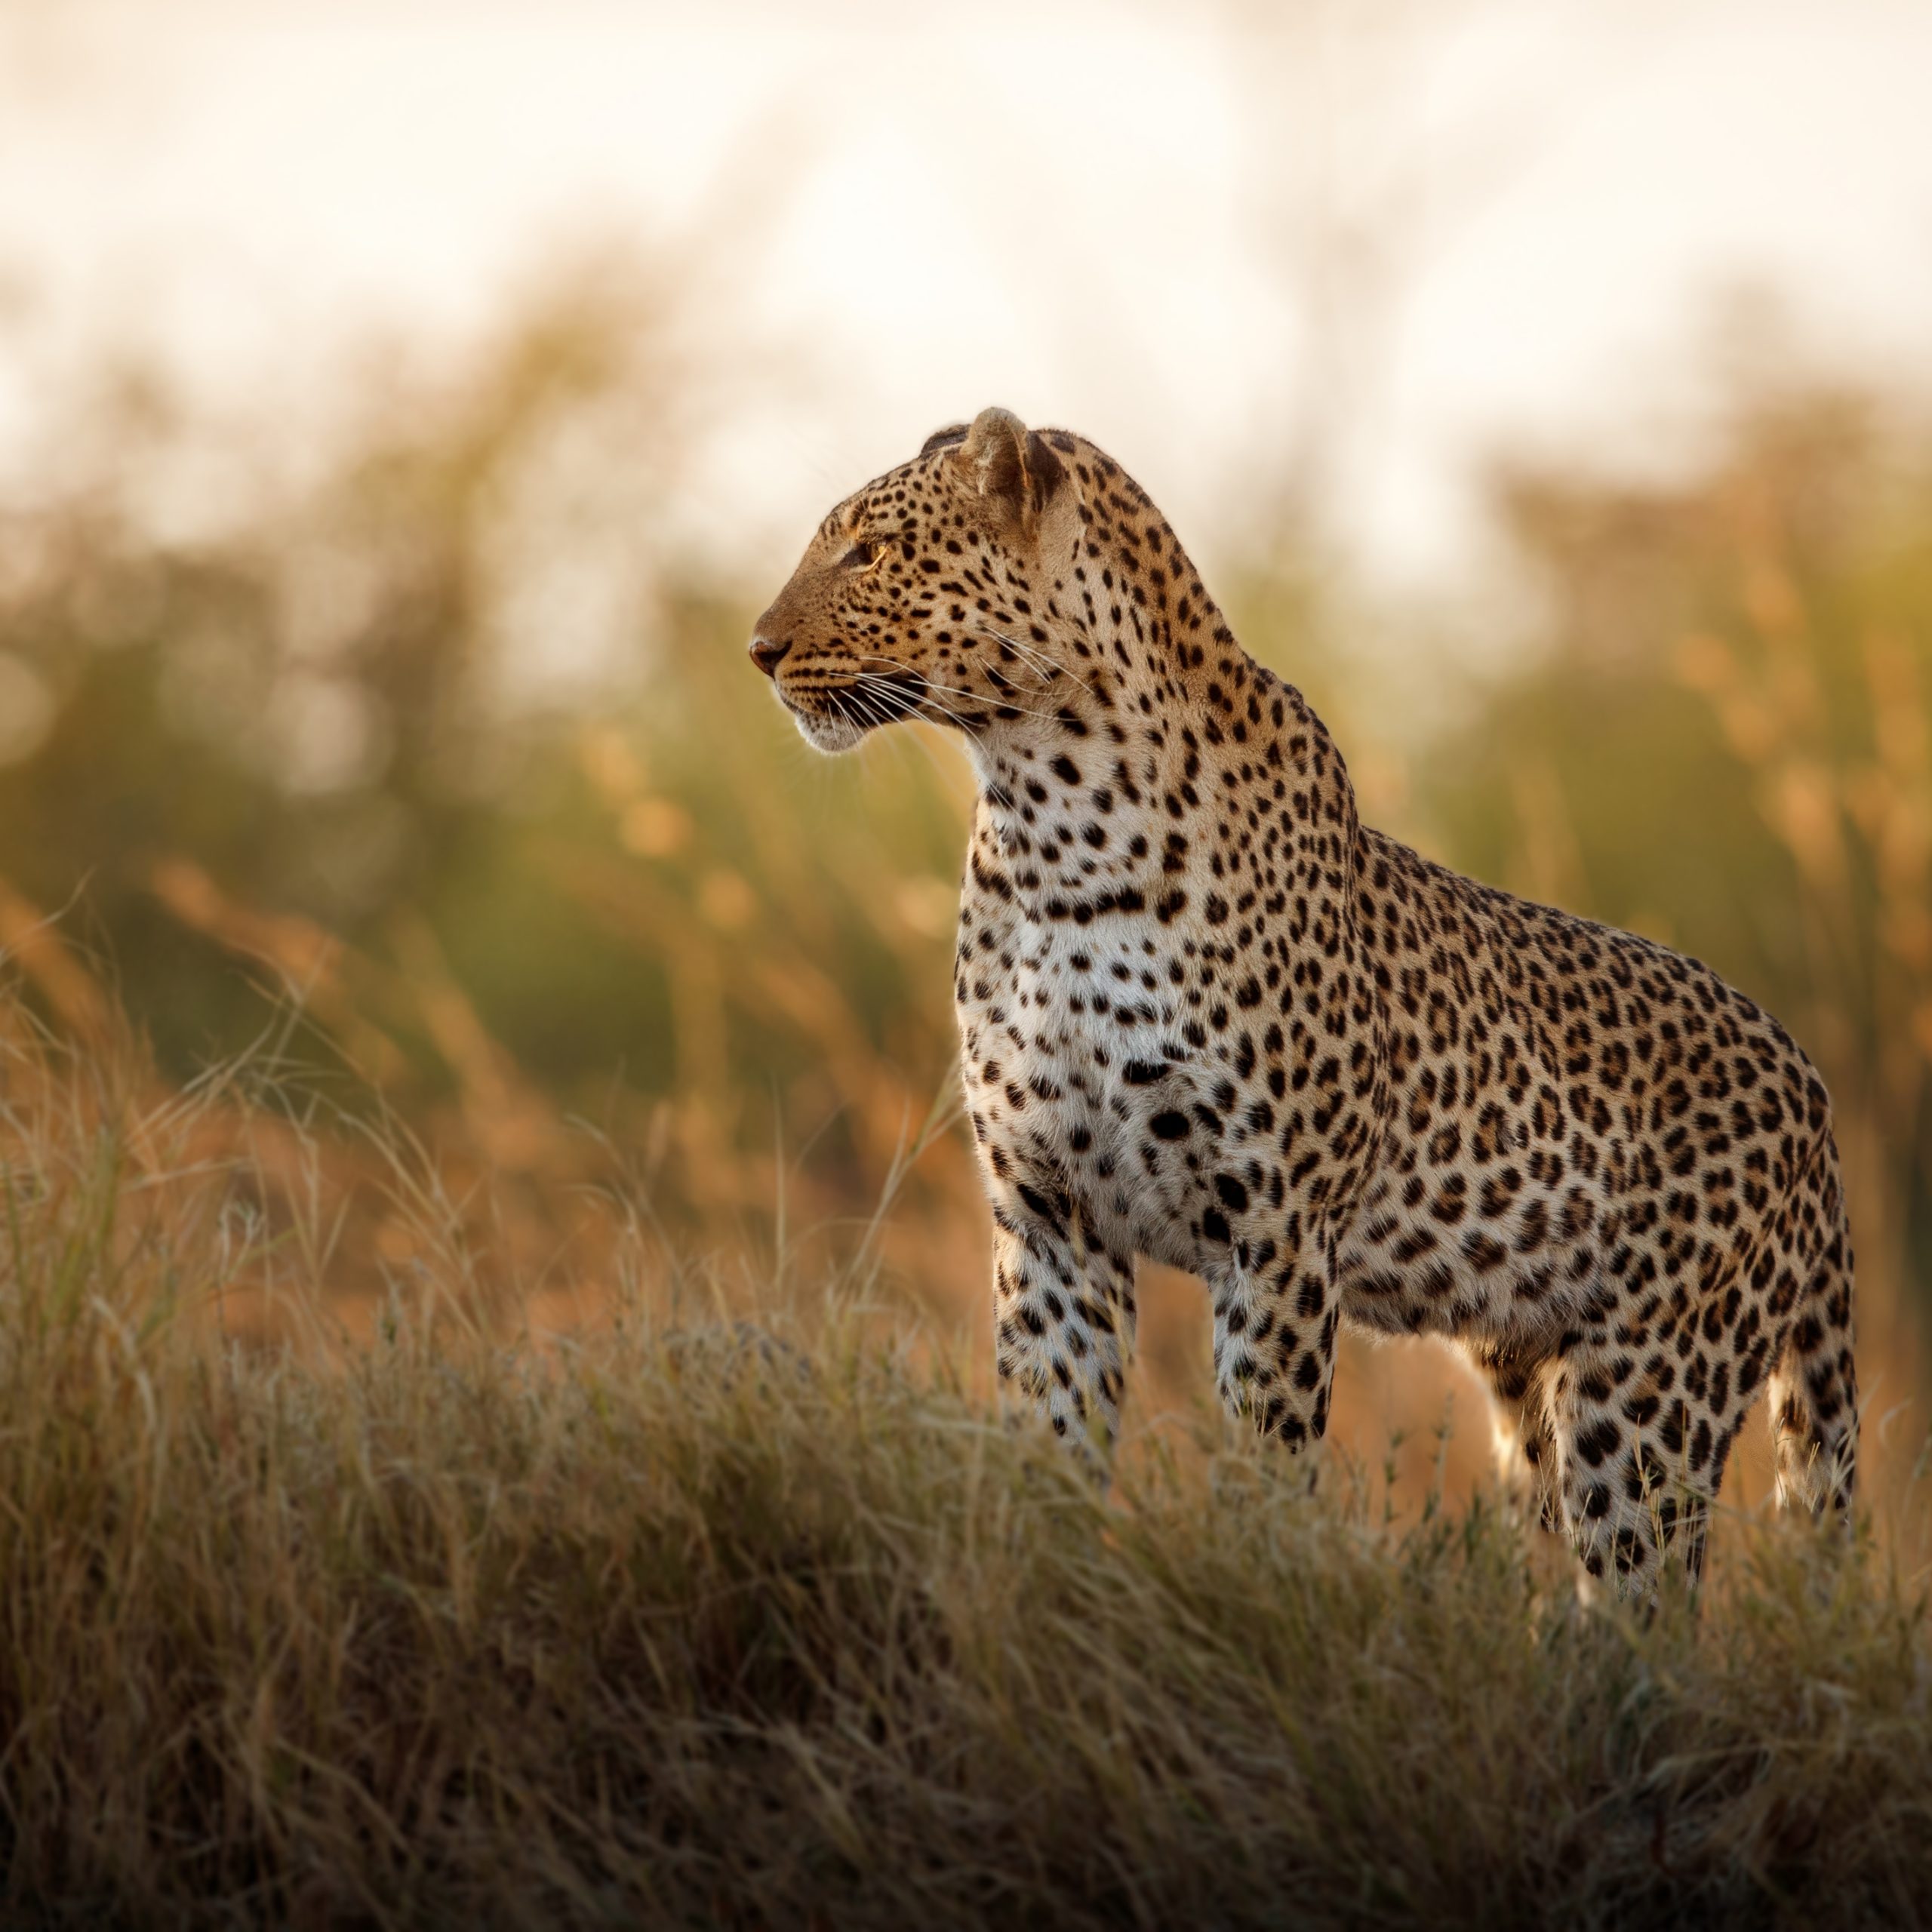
<point>1516,219</point>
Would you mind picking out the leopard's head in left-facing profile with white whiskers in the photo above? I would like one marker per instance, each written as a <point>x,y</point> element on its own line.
<point>932,592</point>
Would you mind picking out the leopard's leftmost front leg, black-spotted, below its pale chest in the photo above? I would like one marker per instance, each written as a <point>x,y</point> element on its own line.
<point>1064,1309</point>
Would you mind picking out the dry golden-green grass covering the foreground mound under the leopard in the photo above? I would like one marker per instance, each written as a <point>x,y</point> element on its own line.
<point>702,1622</point>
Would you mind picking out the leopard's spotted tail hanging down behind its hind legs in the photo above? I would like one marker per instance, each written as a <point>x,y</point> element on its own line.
<point>1815,1388</point>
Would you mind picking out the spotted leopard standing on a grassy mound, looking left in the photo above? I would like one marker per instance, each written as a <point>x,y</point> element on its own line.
<point>1214,1021</point>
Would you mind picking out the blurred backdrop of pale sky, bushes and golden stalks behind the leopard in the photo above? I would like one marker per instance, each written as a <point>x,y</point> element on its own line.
<point>407,409</point>
